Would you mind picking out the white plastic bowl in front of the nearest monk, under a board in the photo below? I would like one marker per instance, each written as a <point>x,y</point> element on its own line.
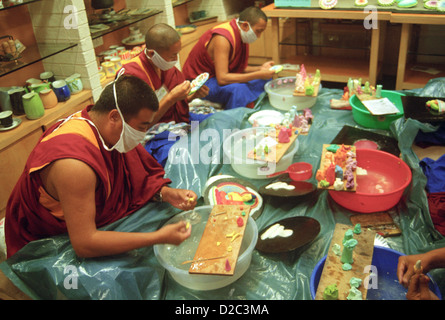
<point>171,257</point>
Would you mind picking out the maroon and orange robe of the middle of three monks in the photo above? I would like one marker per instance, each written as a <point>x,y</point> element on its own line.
<point>140,67</point>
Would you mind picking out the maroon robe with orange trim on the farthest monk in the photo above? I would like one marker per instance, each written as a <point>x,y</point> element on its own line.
<point>199,60</point>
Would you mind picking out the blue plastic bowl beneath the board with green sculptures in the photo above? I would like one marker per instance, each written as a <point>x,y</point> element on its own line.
<point>389,288</point>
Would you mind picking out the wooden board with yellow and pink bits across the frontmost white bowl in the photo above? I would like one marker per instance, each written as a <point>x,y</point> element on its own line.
<point>219,247</point>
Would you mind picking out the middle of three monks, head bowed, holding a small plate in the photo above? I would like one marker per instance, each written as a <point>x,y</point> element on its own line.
<point>156,66</point>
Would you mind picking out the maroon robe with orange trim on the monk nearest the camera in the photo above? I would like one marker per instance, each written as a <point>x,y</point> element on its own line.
<point>126,181</point>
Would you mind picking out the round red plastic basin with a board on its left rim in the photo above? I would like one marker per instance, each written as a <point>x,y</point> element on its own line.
<point>381,188</point>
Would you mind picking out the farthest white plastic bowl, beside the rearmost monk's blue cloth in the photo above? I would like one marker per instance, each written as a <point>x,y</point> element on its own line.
<point>280,92</point>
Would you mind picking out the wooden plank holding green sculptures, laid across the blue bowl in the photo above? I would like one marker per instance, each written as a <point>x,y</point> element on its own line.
<point>332,270</point>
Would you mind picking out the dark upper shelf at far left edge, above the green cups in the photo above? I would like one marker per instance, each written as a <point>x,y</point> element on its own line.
<point>33,54</point>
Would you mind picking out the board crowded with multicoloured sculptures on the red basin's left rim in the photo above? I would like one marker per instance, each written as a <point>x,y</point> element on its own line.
<point>334,155</point>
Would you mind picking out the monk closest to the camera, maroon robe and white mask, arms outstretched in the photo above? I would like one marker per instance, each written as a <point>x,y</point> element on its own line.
<point>90,170</point>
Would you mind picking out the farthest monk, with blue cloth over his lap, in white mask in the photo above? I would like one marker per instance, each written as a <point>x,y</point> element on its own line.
<point>223,52</point>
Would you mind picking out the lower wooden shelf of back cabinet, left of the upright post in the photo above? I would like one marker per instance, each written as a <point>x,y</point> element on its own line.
<point>332,69</point>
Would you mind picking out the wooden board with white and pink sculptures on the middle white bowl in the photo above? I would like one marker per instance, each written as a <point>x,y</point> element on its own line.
<point>275,149</point>
